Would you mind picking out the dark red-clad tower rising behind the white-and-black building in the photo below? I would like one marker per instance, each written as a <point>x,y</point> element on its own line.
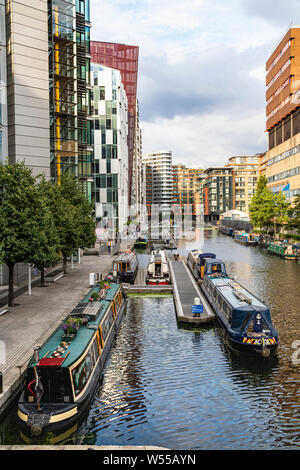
<point>125,59</point>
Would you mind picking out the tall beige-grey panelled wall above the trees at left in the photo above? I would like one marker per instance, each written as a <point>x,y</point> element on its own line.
<point>28,84</point>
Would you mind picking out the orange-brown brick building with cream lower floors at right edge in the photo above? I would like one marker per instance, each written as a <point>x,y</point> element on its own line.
<point>283,115</point>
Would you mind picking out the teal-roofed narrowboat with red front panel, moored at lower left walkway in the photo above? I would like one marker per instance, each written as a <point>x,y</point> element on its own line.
<point>63,373</point>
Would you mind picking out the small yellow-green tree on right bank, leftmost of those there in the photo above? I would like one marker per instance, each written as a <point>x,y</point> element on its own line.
<point>262,206</point>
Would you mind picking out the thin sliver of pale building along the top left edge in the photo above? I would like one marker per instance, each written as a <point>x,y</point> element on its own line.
<point>3,93</point>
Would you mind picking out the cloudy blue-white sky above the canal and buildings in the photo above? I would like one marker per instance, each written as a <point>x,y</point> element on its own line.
<point>201,82</point>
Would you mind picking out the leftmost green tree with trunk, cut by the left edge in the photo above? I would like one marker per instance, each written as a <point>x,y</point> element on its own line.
<point>19,209</point>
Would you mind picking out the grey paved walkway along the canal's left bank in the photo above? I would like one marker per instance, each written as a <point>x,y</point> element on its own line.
<point>35,316</point>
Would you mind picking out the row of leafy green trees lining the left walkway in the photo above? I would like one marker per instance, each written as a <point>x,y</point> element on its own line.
<point>39,221</point>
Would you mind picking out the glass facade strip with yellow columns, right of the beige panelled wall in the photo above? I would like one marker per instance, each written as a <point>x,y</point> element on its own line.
<point>63,89</point>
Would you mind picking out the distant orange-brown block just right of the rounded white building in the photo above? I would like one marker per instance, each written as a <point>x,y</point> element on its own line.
<point>185,185</point>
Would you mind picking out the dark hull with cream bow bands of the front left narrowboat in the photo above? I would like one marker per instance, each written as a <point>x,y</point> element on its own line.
<point>57,419</point>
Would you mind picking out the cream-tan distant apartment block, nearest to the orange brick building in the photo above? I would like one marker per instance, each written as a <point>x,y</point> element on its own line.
<point>245,173</point>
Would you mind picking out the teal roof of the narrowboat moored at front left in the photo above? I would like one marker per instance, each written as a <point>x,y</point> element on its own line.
<point>84,333</point>
